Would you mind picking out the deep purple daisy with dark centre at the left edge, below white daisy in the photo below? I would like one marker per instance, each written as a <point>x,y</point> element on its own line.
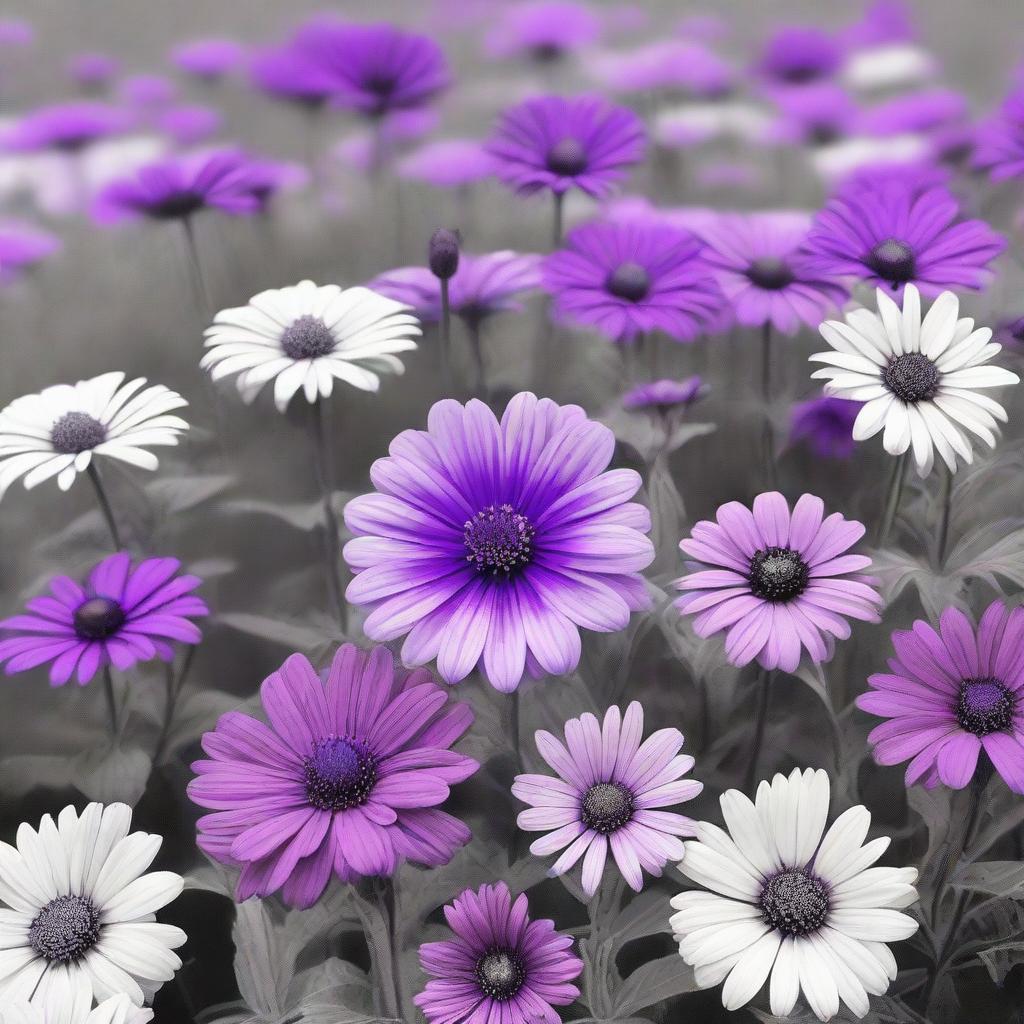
<point>123,615</point>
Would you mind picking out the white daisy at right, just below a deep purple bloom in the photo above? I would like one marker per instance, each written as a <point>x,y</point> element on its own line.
<point>920,379</point>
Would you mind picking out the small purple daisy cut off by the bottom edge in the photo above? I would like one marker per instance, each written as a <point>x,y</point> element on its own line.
<point>500,967</point>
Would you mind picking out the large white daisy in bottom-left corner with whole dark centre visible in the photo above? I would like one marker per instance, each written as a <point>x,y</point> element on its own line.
<point>78,919</point>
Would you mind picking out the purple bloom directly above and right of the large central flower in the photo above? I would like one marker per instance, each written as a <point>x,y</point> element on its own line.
<point>629,279</point>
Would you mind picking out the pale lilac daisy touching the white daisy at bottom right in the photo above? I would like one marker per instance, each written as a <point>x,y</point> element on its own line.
<point>611,793</point>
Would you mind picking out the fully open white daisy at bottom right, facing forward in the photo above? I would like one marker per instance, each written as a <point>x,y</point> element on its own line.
<point>809,913</point>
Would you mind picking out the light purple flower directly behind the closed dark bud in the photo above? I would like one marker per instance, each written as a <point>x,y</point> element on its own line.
<point>481,287</point>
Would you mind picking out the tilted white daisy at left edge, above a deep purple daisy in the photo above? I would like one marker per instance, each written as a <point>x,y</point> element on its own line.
<point>58,432</point>
